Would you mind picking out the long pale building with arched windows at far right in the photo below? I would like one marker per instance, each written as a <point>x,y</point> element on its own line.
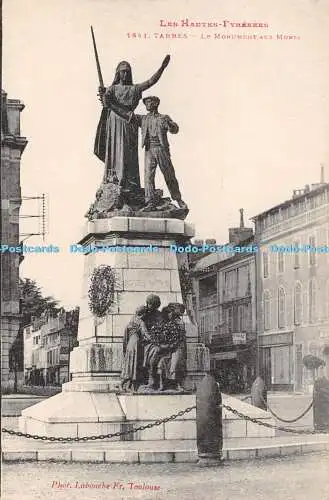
<point>293,287</point>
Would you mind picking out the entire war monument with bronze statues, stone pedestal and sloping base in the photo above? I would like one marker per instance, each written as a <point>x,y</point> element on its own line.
<point>139,359</point>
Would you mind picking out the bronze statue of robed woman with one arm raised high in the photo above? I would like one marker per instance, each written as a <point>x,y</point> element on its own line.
<point>116,142</point>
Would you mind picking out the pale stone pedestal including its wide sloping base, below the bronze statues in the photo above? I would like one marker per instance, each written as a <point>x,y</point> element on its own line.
<point>91,402</point>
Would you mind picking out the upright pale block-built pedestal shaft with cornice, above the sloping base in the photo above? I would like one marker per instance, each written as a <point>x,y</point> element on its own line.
<point>96,364</point>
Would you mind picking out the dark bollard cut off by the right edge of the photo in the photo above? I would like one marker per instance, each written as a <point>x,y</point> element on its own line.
<point>321,404</point>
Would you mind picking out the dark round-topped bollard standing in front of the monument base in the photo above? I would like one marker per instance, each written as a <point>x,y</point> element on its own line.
<point>209,422</point>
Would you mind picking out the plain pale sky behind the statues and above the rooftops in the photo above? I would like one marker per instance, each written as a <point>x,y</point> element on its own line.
<point>253,113</point>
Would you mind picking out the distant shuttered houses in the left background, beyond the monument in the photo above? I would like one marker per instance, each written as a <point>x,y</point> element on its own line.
<point>48,342</point>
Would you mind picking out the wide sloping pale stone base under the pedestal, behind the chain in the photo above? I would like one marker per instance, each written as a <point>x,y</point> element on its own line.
<point>78,414</point>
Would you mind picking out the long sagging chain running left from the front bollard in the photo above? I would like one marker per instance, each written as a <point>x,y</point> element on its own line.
<point>101,436</point>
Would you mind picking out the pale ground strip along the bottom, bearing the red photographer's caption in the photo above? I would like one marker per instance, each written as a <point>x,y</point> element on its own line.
<point>290,478</point>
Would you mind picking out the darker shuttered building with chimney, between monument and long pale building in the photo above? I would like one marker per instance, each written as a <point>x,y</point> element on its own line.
<point>224,285</point>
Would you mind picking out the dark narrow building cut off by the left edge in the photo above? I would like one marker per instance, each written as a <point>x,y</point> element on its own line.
<point>12,147</point>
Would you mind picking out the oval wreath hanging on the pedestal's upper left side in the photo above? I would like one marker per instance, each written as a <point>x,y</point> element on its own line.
<point>101,290</point>
